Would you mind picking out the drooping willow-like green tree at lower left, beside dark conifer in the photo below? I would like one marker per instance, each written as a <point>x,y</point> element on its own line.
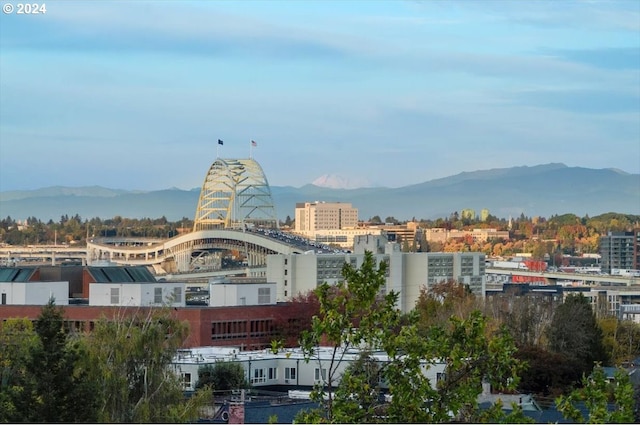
<point>132,356</point>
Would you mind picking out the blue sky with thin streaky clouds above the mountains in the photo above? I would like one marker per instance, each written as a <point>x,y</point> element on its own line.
<point>135,94</point>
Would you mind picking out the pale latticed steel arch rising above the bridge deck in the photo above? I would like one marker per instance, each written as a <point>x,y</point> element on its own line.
<point>235,193</point>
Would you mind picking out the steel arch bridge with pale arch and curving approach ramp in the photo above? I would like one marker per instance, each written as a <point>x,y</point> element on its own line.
<point>235,212</point>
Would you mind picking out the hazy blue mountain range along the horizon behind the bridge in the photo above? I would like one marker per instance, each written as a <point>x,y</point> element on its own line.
<point>542,190</point>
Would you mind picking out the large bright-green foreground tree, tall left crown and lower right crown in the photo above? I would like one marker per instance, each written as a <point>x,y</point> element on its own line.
<point>351,314</point>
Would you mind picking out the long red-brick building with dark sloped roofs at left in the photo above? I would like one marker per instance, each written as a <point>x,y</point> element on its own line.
<point>250,327</point>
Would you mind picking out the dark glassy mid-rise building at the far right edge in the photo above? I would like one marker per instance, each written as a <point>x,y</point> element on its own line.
<point>620,251</point>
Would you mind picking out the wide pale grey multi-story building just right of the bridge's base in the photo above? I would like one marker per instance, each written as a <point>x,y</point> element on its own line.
<point>407,273</point>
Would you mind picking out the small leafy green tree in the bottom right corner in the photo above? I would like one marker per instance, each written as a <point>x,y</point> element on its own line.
<point>597,393</point>
